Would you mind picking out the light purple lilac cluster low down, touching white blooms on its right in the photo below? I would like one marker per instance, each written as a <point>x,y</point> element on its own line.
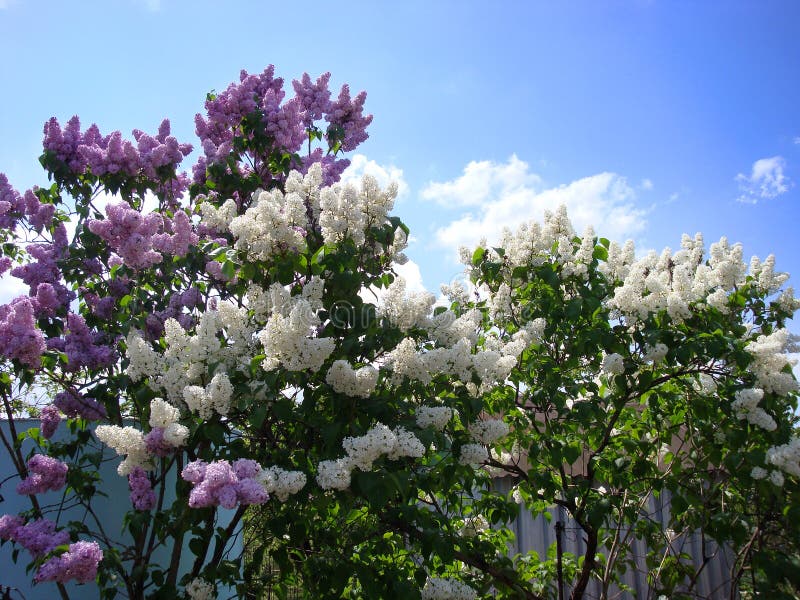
<point>221,484</point>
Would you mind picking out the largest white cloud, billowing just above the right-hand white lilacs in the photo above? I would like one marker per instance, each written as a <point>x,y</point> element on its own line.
<point>506,195</point>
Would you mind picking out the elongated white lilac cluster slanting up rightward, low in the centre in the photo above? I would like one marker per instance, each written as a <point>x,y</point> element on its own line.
<point>364,450</point>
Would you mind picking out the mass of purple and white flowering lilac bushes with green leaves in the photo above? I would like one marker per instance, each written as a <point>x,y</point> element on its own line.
<point>221,350</point>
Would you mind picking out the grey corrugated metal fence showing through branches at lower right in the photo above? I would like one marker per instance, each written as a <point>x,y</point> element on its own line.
<point>537,533</point>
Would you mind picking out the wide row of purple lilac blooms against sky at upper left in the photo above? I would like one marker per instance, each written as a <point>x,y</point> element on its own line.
<point>112,154</point>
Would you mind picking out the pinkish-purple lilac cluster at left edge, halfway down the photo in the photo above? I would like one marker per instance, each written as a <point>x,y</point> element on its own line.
<point>19,338</point>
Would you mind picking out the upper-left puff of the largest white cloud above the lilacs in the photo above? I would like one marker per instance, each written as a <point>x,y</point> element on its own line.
<point>481,182</point>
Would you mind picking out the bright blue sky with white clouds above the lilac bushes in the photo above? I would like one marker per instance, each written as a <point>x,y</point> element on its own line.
<point>647,118</point>
